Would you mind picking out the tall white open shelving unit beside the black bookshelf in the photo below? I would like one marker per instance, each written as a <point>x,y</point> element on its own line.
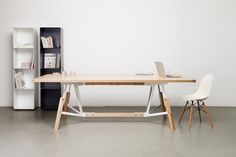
<point>24,69</point>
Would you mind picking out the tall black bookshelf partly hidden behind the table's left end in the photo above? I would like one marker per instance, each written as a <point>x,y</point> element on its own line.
<point>51,61</point>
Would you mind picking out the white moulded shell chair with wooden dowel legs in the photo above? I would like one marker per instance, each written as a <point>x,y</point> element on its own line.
<point>196,101</point>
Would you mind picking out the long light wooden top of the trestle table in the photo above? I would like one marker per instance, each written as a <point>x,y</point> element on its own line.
<point>58,78</point>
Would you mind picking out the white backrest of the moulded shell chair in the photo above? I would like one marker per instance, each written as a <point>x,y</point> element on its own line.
<point>204,88</point>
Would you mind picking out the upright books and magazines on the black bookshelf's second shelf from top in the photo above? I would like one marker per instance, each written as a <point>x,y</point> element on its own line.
<point>52,60</point>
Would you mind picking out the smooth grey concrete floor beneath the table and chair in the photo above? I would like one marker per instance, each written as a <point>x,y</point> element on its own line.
<point>30,133</point>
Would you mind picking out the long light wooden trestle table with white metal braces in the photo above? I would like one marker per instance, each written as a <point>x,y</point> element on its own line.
<point>153,81</point>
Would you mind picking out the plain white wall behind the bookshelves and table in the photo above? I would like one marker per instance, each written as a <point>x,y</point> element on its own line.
<point>193,37</point>
